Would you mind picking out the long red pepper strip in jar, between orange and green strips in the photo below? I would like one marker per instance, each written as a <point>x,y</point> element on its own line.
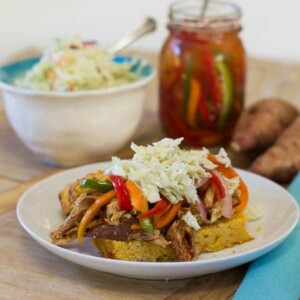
<point>212,80</point>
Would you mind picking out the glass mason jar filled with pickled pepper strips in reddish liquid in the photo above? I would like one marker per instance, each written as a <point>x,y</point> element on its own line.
<point>202,73</point>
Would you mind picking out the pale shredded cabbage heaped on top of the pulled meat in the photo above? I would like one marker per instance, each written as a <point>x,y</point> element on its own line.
<point>164,168</point>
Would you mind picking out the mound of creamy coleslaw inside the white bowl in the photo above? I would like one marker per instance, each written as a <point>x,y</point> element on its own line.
<point>70,65</point>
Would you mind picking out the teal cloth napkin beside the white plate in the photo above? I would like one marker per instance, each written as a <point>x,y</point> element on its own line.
<point>276,275</point>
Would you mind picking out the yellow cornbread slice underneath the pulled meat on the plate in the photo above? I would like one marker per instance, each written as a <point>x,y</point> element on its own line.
<point>210,238</point>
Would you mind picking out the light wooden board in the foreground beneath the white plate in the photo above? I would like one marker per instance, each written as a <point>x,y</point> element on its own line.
<point>28,271</point>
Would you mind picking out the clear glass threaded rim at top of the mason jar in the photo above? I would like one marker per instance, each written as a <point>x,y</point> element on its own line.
<point>218,14</point>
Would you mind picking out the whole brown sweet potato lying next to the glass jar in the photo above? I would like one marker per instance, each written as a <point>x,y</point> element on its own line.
<point>261,124</point>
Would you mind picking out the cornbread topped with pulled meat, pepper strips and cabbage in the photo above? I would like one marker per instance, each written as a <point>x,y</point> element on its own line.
<point>165,204</point>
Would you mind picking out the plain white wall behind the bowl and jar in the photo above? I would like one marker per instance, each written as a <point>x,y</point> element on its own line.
<point>271,28</point>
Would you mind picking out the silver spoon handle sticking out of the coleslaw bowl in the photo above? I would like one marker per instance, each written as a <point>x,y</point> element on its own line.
<point>147,25</point>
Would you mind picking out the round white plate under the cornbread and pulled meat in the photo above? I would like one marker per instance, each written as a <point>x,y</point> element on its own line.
<point>39,213</point>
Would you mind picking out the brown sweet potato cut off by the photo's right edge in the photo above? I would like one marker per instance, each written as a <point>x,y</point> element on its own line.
<point>281,161</point>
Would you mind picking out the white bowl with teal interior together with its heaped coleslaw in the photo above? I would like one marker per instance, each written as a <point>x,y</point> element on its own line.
<point>77,103</point>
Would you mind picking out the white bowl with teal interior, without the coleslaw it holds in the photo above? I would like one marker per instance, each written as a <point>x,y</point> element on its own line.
<point>72,128</point>
